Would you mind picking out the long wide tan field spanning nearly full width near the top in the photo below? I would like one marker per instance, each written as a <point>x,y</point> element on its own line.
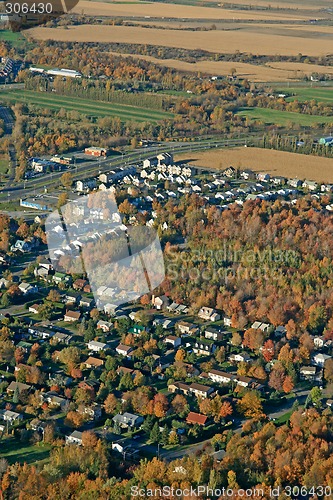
<point>213,41</point>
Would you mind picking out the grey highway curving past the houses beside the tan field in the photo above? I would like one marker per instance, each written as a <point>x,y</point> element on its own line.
<point>87,169</point>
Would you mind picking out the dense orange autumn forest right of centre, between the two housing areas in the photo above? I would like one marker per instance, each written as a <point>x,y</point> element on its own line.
<point>261,261</point>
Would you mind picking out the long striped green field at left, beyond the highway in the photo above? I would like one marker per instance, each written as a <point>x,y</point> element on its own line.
<point>85,106</point>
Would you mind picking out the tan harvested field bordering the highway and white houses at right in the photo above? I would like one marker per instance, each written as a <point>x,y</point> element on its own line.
<point>273,162</point>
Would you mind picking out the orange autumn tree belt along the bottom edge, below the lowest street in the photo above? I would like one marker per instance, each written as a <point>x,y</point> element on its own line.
<point>262,456</point>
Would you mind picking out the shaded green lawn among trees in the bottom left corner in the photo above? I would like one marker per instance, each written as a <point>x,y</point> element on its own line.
<point>14,451</point>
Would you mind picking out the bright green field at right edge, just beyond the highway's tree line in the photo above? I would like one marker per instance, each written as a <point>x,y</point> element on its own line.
<point>276,117</point>
